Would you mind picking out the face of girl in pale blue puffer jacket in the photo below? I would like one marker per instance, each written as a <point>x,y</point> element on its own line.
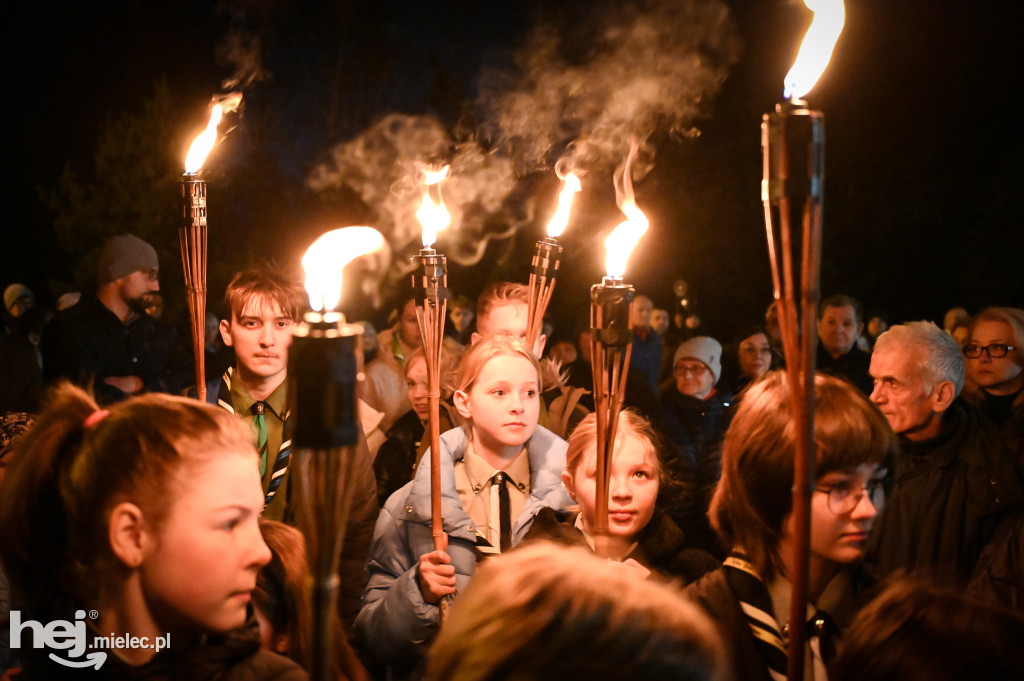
<point>504,403</point>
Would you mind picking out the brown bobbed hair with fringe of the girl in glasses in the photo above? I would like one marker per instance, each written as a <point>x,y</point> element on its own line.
<point>754,495</point>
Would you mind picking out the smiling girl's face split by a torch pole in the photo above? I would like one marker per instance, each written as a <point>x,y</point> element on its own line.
<point>633,487</point>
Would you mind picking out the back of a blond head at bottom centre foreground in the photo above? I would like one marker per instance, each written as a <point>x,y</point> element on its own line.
<point>546,613</point>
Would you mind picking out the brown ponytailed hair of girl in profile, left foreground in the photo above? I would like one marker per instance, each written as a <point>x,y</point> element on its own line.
<point>66,479</point>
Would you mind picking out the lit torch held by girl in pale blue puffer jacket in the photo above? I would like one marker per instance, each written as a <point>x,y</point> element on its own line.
<point>430,286</point>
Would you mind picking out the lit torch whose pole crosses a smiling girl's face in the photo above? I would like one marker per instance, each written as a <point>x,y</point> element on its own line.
<point>612,342</point>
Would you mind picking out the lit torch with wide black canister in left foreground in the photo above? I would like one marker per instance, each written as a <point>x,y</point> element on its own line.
<point>324,366</point>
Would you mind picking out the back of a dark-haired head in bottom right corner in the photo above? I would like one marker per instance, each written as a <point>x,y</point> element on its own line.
<point>915,631</point>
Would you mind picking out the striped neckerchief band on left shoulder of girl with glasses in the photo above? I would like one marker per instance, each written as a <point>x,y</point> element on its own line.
<point>756,604</point>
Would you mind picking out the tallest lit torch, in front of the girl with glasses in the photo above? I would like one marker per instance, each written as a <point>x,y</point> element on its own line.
<point>793,191</point>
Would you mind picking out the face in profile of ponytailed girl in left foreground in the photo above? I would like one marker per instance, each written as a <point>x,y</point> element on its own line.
<point>200,571</point>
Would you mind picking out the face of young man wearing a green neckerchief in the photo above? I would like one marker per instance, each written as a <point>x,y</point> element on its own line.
<point>261,336</point>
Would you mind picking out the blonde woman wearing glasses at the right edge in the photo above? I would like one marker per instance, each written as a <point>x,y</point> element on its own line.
<point>995,355</point>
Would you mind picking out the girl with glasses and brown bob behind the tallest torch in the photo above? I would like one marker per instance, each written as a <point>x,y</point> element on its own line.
<point>752,510</point>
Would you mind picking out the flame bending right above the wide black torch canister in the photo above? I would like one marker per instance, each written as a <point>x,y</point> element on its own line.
<point>327,258</point>
